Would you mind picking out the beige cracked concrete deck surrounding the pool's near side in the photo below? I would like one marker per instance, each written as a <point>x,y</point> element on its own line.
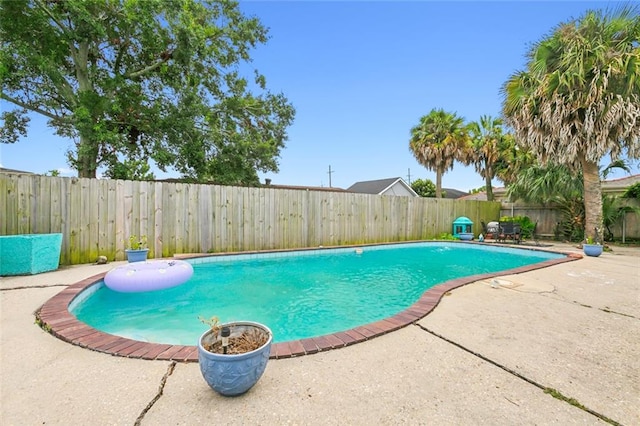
<point>484,354</point>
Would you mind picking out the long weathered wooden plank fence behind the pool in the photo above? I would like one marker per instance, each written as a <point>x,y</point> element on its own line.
<point>97,216</point>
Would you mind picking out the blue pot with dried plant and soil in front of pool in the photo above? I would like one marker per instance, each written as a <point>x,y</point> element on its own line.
<point>233,356</point>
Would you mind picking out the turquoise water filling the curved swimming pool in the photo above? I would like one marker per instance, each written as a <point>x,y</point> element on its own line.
<point>297,294</point>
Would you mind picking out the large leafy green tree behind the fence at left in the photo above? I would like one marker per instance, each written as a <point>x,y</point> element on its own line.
<point>139,79</point>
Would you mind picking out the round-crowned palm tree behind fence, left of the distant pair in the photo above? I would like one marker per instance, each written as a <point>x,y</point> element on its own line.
<point>437,141</point>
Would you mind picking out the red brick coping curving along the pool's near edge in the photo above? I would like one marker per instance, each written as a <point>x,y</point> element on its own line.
<point>55,318</point>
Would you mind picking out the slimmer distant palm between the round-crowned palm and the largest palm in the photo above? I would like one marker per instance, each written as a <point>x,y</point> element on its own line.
<point>487,144</point>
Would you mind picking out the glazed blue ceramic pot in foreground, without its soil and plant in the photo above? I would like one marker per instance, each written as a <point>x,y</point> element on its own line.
<point>235,374</point>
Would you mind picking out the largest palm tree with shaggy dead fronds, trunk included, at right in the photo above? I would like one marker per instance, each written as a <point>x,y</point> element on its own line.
<point>579,99</point>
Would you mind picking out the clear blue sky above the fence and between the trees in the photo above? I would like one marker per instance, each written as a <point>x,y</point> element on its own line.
<point>361,74</point>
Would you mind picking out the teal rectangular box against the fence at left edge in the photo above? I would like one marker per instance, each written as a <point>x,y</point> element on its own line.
<point>29,254</point>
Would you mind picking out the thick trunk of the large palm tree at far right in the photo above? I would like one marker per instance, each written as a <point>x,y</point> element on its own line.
<point>592,200</point>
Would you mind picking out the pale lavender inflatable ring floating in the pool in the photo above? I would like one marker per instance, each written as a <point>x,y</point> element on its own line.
<point>151,275</point>
